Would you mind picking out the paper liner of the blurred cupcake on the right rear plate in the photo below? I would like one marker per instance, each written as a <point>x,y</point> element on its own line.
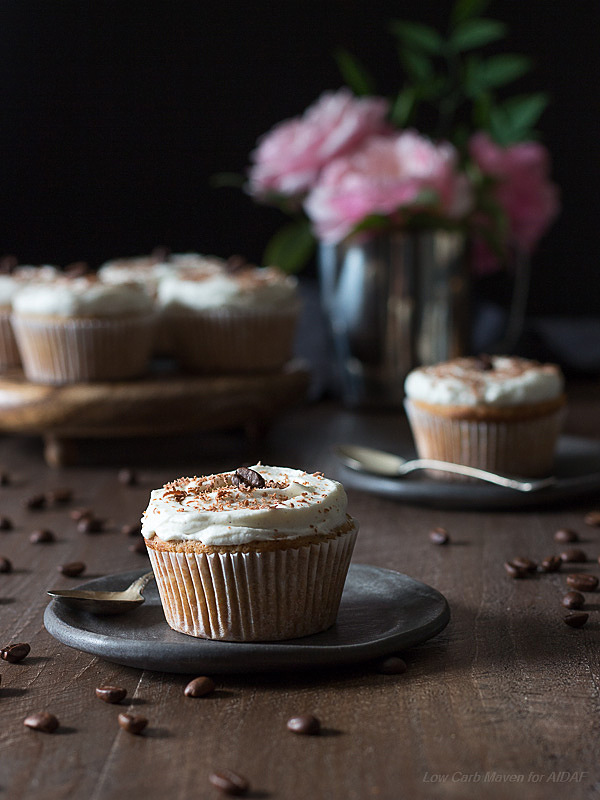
<point>513,447</point>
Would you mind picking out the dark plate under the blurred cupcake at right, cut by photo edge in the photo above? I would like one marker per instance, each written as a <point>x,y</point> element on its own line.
<point>577,469</point>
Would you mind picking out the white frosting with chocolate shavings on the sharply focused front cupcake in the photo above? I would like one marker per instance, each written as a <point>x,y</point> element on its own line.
<point>248,505</point>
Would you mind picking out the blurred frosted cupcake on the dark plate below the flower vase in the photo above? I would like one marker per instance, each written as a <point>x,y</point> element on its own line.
<point>497,413</point>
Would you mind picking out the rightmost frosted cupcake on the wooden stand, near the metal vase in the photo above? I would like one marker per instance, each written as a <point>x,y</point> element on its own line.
<point>227,317</point>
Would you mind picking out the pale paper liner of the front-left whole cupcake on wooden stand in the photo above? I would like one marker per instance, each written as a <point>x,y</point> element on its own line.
<point>74,350</point>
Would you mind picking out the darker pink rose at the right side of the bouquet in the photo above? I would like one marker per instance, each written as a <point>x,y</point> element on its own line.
<point>524,191</point>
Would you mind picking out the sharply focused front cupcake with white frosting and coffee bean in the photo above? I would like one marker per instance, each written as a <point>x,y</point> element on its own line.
<point>258,554</point>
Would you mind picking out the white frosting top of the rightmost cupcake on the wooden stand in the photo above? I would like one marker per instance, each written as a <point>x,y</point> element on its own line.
<point>216,284</point>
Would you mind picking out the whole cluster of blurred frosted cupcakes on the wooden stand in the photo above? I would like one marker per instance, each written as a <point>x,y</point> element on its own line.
<point>210,315</point>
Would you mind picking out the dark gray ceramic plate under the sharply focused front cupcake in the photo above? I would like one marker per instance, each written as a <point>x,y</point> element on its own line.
<point>381,612</point>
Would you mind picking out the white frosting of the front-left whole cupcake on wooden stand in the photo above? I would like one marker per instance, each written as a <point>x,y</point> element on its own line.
<point>84,296</point>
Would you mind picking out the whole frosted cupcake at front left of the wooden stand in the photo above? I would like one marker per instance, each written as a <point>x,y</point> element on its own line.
<point>82,329</point>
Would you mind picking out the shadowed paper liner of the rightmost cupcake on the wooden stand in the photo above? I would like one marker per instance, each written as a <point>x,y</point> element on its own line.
<point>223,340</point>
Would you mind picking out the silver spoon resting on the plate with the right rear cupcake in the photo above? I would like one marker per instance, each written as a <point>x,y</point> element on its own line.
<point>367,459</point>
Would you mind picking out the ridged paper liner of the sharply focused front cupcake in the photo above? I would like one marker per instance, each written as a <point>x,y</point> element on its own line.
<point>263,595</point>
